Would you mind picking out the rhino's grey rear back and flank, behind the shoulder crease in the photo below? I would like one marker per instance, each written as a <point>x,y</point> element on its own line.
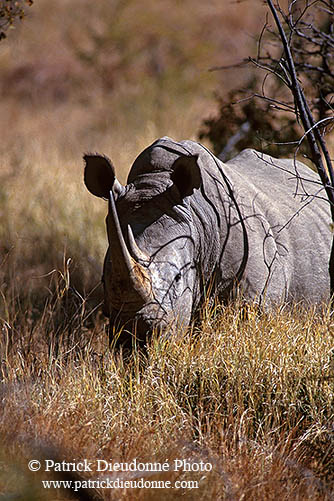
<point>290,197</point>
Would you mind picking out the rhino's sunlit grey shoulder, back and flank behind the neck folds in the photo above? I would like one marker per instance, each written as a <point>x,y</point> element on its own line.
<point>287,219</point>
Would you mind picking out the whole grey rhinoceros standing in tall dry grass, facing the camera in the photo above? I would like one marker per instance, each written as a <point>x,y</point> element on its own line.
<point>187,225</point>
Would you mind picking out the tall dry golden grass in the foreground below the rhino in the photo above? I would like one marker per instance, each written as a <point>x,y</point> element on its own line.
<point>251,393</point>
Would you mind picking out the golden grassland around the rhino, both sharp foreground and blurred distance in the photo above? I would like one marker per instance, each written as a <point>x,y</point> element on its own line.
<point>249,392</point>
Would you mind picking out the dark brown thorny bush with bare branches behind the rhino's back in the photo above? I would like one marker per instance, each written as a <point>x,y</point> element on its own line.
<point>308,26</point>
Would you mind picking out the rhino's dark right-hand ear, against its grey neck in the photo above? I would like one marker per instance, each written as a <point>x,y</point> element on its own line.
<point>186,174</point>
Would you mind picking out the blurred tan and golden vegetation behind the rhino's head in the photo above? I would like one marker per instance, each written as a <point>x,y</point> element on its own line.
<point>111,78</point>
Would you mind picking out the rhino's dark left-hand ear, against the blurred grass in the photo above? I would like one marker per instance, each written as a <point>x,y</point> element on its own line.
<point>100,176</point>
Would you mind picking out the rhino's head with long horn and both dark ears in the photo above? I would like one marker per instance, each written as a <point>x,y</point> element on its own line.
<point>150,268</point>
